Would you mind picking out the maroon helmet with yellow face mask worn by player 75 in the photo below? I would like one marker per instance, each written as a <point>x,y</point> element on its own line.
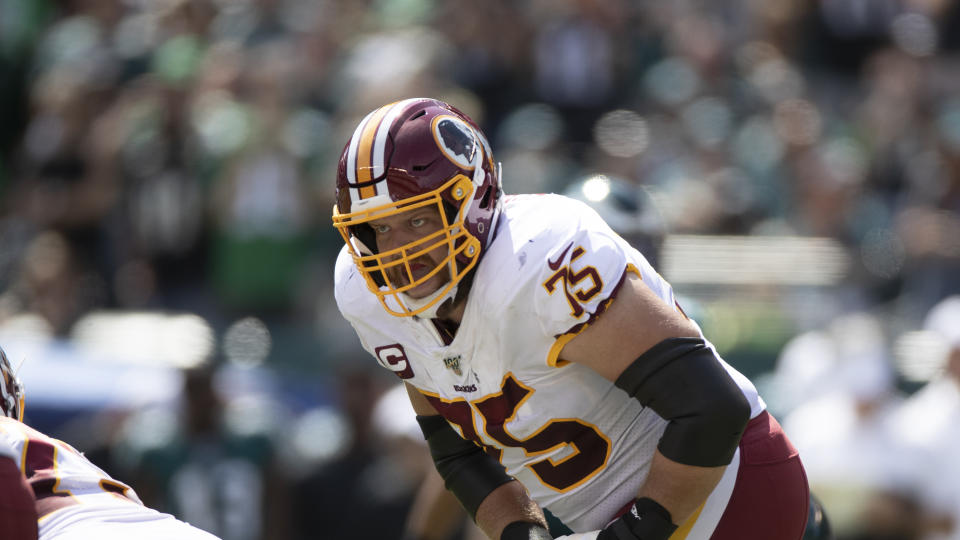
<point>405,156</point>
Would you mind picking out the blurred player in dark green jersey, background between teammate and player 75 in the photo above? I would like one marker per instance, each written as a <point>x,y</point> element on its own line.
<point>204,468</point>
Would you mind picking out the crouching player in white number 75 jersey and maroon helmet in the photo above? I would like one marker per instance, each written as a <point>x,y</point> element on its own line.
<point>549,364</point>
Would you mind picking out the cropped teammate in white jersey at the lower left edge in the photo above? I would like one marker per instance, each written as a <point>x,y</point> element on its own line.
<point>75,499</point>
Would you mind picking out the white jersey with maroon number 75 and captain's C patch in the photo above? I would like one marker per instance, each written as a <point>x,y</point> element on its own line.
<point>580,445</point>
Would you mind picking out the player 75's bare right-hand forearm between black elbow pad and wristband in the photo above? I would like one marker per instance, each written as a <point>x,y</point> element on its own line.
<point>679,488</point>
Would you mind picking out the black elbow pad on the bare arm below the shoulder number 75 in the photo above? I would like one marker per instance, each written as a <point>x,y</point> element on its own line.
<point>683,381</point>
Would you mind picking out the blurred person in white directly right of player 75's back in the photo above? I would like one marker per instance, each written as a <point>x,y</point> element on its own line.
<point>843,428</point>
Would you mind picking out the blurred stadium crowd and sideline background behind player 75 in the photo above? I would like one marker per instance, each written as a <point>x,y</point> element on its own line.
<point>179,156</point>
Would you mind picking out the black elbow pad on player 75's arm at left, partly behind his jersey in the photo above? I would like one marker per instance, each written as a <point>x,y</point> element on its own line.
<point>467,471</point>
